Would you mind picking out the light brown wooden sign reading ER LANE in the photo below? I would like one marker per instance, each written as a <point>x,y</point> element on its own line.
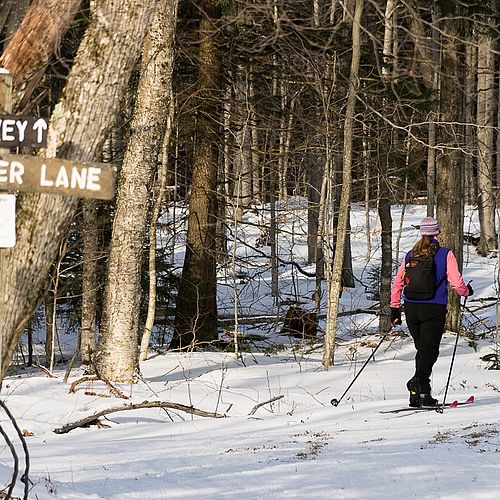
<point>57,176</point>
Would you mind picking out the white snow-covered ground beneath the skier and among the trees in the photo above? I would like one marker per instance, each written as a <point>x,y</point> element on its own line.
<point>299,446</point>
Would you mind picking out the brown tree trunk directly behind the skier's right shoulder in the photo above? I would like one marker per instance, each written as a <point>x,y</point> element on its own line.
<point>450,161</point>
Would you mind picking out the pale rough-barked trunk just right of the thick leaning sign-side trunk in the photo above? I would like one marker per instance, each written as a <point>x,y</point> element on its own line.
<point>117,351</point>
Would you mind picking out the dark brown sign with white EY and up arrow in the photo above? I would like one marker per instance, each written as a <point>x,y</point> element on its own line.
<point>28,131</point>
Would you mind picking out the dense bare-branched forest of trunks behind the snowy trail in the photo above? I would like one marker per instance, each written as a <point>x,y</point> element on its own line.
<point>211,110</point>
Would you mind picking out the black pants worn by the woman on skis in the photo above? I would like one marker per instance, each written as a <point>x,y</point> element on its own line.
<point>426,325</point>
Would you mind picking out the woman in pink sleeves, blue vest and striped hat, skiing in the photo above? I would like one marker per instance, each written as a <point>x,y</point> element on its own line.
<point>422,278</point>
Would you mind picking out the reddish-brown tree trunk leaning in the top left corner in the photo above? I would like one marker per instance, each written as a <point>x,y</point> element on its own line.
<point>34,43</point>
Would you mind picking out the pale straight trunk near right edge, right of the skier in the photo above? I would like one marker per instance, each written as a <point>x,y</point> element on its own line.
<point>485,137</point>
